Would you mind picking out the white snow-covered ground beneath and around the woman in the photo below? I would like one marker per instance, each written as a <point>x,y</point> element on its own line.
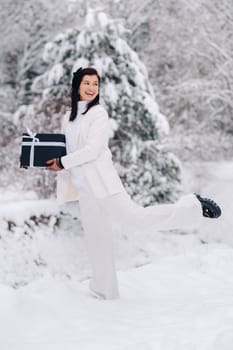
<point>176,288</point>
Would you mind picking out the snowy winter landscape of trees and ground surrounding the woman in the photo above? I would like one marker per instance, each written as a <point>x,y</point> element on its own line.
<point>166,71</point>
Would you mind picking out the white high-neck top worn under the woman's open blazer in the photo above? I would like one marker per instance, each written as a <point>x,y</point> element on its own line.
<point>71,144</point>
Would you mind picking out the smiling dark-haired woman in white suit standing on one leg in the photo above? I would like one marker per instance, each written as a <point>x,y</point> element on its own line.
<point>87,173</point>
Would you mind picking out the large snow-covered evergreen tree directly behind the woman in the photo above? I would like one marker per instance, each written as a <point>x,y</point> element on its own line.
<point>149,173</point>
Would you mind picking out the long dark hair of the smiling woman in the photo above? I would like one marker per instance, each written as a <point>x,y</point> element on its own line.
<point>75,97</point>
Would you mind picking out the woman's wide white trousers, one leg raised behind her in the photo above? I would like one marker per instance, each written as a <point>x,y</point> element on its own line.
<point>98,215</point>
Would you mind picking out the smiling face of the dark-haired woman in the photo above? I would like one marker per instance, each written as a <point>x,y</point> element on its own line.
<point>89,87</point>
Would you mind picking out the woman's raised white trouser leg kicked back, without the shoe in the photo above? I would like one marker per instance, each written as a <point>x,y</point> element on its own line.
<point>186,213</point>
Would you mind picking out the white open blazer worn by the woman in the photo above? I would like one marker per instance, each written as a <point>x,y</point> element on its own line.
<point>93,154</point>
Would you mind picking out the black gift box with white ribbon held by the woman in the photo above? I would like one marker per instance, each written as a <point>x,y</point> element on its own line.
<point>38,148</point>
